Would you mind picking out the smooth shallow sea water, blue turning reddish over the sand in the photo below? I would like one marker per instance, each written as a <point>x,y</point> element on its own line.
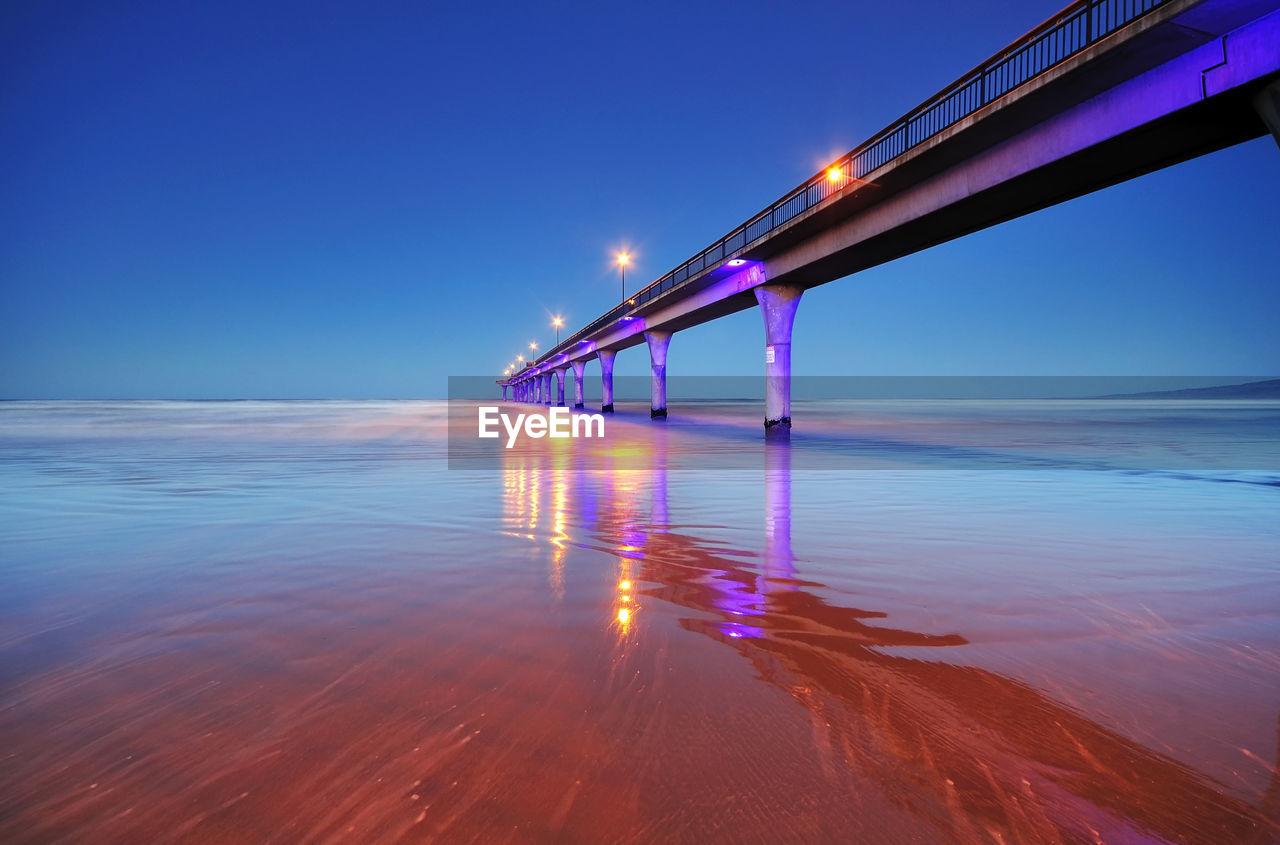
<point>917,622</point>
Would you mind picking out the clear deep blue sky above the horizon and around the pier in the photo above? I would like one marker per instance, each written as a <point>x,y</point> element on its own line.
<point>280,200</point>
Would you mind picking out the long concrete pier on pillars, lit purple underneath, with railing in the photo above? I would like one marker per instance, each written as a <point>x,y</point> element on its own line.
<point>1103,93</point>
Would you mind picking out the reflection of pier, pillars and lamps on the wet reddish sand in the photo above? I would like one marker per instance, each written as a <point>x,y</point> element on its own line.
<point>979,756</point>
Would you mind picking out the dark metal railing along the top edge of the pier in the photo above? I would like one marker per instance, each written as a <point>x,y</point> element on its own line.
<point>1071,31</point>
